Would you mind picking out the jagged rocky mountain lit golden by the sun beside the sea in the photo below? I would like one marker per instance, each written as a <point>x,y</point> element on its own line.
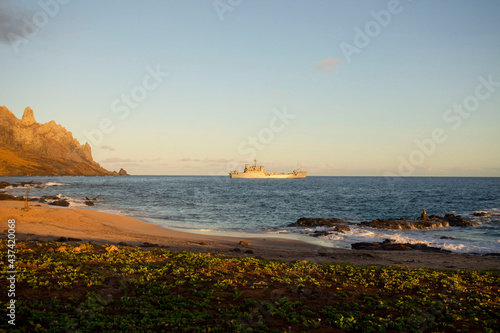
<point>30,148</point>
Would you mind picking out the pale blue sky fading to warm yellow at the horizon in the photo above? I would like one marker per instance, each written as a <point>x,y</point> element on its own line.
<point>337,88</point>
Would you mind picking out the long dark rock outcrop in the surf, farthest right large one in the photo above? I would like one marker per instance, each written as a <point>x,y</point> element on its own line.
<point>432,221</point>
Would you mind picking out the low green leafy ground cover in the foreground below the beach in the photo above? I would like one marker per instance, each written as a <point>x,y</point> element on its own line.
<point>91,290</point>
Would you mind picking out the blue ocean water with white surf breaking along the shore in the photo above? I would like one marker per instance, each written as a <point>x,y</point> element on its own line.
<point>220,205</point>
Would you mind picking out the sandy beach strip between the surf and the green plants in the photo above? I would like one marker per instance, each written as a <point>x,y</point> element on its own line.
<point>47,223</point>
